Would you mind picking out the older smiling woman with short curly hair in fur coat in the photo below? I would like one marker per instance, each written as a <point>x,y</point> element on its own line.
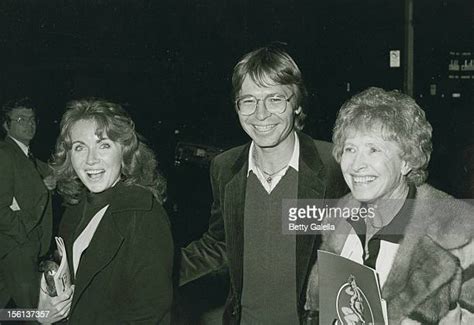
<point>419,240</point>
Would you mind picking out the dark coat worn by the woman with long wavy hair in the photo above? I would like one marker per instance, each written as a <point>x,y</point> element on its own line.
<point>125,275</point>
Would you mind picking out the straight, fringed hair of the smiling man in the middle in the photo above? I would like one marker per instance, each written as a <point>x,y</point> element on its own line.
<point>268,66</point>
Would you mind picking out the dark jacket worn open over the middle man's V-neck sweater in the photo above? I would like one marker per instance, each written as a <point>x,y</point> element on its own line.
<point>318,177</point>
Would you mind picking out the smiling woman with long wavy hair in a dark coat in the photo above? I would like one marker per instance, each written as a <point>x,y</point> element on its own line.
<point>117,235</point>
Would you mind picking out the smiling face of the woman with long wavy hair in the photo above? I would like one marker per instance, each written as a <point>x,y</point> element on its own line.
<point>96,160</point>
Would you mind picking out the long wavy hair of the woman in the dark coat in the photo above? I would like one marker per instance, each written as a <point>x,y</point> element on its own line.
<point>139,166</point>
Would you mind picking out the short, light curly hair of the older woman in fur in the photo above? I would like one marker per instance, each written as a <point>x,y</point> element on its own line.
<point>398,117</point>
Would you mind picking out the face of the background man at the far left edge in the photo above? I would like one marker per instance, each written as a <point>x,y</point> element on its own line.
<point>22,125</point>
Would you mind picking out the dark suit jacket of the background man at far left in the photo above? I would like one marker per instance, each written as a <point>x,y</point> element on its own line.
<point>20,179</point>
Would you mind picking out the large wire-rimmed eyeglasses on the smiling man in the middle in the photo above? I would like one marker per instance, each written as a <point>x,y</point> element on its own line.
<point>274,103</point>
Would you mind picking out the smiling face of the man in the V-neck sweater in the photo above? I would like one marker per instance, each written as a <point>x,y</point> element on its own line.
<point>268,130</point>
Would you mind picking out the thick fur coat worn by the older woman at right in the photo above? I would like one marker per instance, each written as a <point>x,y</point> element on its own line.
<point>431,280</point>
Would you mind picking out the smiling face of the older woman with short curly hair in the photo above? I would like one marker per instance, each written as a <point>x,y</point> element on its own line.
<point>372,167</point>
